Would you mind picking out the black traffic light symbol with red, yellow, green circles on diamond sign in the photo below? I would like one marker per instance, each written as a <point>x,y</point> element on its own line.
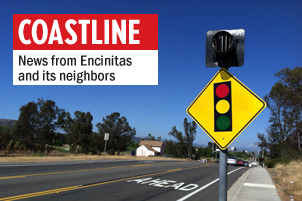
<point>223,107</point>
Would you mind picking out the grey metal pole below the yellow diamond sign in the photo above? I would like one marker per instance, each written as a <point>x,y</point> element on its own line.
<point>222,195</point>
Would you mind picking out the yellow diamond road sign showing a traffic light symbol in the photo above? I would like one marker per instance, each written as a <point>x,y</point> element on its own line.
<point>224,108</point>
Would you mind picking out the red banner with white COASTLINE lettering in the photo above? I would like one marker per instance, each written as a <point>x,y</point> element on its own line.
<point>85,32</point>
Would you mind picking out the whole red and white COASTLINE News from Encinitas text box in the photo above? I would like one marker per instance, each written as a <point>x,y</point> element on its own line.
<point>85,49</point>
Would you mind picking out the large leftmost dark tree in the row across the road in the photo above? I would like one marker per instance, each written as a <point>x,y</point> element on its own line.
<point>36,124</point>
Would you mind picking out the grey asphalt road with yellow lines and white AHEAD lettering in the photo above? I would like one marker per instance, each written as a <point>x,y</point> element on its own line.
<point>113,180</point>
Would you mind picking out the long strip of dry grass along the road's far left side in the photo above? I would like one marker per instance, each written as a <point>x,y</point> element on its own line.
<point>26,157</point>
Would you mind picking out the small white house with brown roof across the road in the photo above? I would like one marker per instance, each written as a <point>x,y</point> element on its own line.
<point>150,148</point>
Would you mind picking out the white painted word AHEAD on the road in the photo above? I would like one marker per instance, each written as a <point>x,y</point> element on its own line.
<point>165,184</point>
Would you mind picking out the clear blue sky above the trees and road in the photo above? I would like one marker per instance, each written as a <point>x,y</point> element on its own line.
<point>272,42</point>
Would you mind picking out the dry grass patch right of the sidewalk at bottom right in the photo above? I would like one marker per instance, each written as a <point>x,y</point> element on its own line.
<point>288,180</point>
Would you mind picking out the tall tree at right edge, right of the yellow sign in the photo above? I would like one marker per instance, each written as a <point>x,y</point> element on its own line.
<point>283,137</point>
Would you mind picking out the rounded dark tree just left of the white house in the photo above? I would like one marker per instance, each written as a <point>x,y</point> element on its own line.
<point>119,130</point>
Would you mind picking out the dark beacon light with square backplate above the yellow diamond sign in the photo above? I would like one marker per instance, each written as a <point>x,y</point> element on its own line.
<point>225,48</point>
